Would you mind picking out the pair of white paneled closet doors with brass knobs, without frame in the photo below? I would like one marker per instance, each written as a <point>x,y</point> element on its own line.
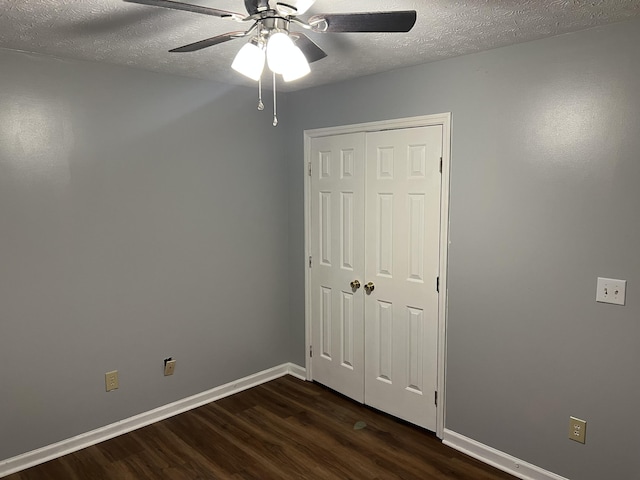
<point>375,217</point>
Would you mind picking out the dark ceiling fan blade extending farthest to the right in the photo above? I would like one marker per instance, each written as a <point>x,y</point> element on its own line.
<point>401,21</point>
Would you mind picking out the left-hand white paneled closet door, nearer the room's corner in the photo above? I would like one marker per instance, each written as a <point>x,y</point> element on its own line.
<point>337,247</point>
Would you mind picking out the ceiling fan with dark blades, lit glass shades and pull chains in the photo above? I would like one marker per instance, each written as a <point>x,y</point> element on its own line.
<point>271,41</point>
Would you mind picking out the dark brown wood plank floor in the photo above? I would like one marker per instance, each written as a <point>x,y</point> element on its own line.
<point>285,429</point>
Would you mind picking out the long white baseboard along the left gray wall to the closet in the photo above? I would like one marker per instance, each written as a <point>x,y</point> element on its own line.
<point>70,445</point>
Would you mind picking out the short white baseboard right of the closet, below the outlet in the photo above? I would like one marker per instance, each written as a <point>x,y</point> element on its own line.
<point>496,458</point>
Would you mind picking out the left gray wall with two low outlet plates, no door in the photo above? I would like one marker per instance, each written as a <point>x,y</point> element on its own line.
<point>141,216</point>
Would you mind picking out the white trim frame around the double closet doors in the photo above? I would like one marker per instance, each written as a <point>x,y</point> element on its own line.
<point>443,119</point>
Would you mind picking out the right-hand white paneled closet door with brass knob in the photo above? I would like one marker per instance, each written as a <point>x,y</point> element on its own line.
<point>403,184</point>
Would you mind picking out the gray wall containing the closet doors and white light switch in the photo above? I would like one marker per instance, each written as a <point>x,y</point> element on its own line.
<point>544,198</point>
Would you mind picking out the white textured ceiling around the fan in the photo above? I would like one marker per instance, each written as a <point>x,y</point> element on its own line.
<point>137,35</point>
